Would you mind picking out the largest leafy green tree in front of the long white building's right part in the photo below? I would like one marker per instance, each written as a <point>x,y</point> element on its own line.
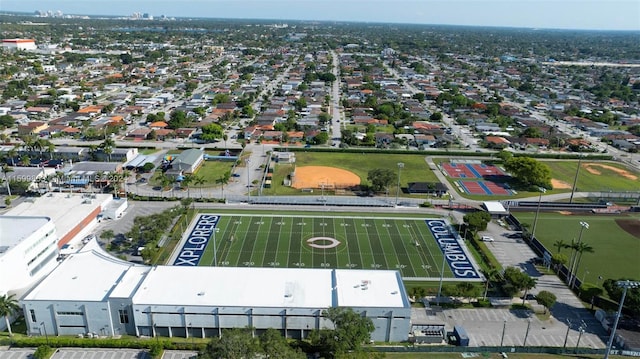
<point>351,331</point>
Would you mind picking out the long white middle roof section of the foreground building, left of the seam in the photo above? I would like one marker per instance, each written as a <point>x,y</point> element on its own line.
<point>227,286</point>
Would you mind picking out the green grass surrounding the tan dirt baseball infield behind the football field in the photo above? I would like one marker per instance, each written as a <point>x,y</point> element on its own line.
<point>415,168</point>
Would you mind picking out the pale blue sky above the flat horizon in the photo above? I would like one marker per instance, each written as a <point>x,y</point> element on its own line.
<point>547,14</point>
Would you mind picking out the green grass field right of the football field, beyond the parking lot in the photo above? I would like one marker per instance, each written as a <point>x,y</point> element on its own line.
<point>616,251</point>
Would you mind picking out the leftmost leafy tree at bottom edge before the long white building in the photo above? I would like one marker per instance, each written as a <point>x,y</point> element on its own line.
<point>234,344</point>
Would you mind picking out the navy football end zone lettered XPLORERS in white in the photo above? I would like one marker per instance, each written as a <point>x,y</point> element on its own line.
<point>194,240</point>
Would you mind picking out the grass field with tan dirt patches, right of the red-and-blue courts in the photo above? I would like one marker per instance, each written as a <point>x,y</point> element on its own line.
<point>589,180</point>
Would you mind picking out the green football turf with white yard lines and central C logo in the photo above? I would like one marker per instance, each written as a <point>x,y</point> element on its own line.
<point>329,242</point>
